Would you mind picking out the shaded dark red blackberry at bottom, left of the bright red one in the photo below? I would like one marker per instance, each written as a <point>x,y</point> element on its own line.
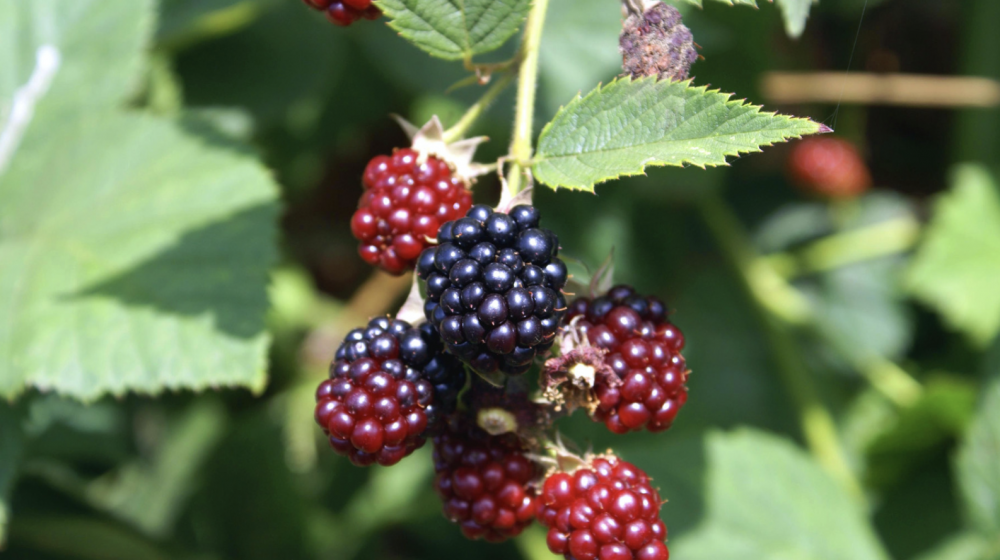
<point>484,483</point>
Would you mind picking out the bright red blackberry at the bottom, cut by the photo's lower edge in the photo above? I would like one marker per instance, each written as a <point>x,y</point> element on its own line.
<point>604,510</point>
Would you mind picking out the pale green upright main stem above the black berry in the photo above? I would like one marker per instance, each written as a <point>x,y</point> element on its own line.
<point>527,84</point>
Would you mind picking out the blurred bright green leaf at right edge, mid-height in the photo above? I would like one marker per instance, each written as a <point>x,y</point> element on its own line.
<point>956,267</point>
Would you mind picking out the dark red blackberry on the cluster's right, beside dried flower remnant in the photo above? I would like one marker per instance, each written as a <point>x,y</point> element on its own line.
<point>643,349</point>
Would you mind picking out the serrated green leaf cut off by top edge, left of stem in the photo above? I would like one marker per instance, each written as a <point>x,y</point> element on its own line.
<point>455,30</point>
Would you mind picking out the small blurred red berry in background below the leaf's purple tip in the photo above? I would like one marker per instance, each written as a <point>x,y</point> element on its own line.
<point>828,166</point>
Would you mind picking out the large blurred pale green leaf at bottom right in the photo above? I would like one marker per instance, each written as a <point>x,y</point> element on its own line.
<point>766,499</point>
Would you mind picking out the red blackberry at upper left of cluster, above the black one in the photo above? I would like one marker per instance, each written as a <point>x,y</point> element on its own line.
<point>404,203</point>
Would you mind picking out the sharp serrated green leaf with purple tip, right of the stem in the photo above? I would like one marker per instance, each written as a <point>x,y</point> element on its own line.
<point>621,128</point>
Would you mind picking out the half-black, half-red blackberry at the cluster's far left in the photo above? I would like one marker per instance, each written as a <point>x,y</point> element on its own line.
<point>387,384</point>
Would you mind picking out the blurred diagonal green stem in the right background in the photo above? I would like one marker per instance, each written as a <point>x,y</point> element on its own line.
<point>818,427</point>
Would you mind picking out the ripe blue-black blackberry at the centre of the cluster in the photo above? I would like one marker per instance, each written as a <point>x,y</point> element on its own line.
<point>494,288</point>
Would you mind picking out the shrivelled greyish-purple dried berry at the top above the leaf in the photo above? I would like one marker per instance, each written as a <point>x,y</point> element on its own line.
<point>656,43</point>
